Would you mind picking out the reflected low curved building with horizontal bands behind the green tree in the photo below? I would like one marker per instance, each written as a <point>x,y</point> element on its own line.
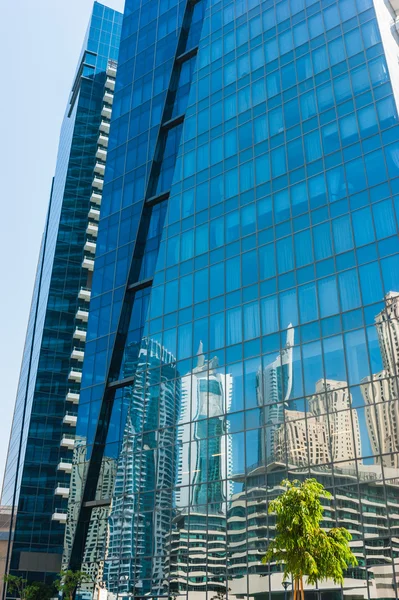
<point>361,509</point>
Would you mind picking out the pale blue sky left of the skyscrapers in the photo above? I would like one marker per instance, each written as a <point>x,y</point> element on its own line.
<point>40,42</point>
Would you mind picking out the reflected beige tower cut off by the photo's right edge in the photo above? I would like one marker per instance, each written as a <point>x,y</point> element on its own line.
<point>380,391</point>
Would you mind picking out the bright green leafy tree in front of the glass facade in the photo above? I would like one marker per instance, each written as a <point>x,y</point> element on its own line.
<point>300,544</point>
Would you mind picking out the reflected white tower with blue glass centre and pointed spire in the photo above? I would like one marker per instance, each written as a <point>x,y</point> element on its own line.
<point>198,538</point>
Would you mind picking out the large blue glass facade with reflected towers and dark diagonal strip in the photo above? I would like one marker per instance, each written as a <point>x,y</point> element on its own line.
<point>244,324</point>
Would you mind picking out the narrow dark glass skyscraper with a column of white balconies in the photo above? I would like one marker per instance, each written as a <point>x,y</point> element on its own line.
<point>37,477</point>
